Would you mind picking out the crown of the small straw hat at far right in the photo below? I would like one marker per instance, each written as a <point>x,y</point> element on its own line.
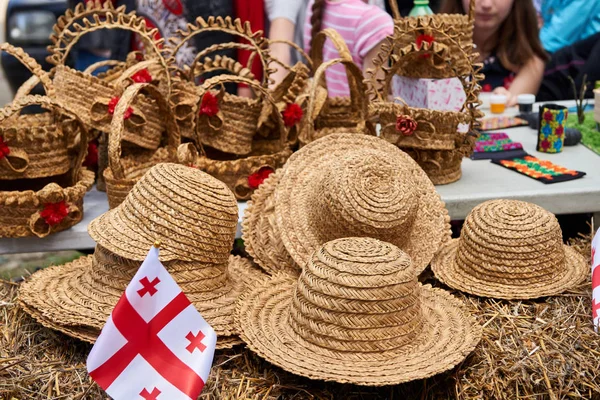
<point>511,242</point>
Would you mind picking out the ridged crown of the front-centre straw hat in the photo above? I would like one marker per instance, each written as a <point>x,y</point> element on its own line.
<point>358,295</point>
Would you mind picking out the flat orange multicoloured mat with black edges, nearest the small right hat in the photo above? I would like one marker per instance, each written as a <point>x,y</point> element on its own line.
<point>542,170</point>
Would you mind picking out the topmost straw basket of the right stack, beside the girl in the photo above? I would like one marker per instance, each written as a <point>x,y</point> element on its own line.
<point>446,35</point>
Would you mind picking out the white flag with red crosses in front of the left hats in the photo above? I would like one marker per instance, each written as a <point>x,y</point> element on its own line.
<point>155,344</point>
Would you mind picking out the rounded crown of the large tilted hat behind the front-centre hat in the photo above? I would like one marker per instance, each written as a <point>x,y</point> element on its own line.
<point>364,193</point>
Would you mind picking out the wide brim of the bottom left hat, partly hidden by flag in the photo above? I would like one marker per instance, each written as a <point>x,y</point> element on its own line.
<point>68,299</point>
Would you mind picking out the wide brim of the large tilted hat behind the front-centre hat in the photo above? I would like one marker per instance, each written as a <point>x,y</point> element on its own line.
<point>430,228</point>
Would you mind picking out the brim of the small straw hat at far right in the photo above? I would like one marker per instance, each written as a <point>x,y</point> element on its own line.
<point>446,269</point>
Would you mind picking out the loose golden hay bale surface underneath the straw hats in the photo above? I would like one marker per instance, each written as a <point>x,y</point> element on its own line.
<point>542,349</point>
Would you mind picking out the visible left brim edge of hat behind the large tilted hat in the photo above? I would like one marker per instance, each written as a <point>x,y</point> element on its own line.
<point>260,233</point>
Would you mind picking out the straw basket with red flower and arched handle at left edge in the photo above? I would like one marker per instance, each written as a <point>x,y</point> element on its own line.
<point>53,203</point>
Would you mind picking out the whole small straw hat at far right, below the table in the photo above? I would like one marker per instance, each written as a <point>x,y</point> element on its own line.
<point>511,250</point>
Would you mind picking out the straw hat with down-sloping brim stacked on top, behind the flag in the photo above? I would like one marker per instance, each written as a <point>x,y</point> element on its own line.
<point>193,215</point>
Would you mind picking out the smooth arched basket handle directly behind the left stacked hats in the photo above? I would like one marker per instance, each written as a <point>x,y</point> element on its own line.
<point>118,125</point>
